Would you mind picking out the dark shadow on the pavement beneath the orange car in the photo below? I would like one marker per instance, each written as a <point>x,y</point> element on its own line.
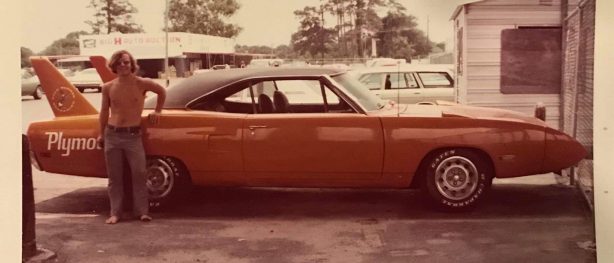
<point>503,201</point>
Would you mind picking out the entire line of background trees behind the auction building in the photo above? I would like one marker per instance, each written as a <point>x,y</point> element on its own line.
<point>334,29</point>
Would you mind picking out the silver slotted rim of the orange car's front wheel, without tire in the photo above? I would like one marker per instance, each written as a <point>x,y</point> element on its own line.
<point>456,178</point>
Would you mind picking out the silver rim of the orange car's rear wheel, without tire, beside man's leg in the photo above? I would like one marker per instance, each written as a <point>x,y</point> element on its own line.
<point>160,178</point>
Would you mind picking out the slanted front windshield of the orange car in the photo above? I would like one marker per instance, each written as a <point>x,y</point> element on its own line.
<point>359,92</point>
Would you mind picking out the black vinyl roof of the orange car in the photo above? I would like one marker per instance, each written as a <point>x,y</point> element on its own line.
<point>178,96</point>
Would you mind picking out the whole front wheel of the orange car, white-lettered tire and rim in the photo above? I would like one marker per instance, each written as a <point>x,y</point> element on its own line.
<point>457,179</point>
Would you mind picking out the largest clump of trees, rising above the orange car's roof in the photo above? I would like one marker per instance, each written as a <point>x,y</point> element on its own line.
<point>356,25</point>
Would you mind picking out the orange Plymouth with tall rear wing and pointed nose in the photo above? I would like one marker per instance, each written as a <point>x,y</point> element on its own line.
<point>310,127</point>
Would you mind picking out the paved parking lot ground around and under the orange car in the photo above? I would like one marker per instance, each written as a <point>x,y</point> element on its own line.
<point>531,219</point>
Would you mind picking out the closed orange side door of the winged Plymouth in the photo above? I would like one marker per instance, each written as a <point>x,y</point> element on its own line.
<point>312,146</point>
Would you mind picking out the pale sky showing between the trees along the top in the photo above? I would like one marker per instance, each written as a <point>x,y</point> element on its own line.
<point>264,22</point>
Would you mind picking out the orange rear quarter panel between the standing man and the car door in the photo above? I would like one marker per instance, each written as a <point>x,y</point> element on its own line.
<point>207,142</point>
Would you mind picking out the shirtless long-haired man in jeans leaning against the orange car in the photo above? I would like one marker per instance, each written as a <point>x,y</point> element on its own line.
<point>121,132</point>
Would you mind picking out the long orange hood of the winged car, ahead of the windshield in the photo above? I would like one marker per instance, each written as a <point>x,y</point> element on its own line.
<point>452,110</point>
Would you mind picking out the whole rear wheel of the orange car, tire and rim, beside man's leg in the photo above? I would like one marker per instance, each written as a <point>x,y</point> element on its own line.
<point>167,181</point>
